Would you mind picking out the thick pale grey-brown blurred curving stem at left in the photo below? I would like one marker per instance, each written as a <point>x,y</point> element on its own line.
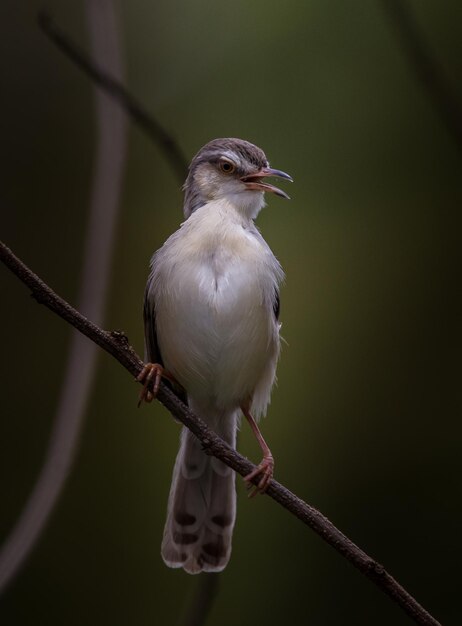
<point>97,261</point>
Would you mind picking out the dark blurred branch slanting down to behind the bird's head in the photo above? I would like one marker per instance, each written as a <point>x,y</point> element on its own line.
<point>119,93</point>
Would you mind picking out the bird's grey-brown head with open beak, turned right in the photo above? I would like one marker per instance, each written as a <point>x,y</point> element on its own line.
<point>233,170</point>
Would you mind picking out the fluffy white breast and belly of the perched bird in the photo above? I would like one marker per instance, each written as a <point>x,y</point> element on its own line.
<point>213,285</point>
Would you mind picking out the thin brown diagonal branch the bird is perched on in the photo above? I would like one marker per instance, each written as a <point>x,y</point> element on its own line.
<point>117,345</point>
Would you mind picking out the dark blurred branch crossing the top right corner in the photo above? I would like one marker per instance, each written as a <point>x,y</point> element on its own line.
<point>426,67</point>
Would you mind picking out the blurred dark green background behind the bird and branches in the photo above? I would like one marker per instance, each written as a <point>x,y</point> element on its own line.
<point>365,420</point>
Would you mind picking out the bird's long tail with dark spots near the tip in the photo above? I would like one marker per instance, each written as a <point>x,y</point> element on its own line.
<point>202,503</point>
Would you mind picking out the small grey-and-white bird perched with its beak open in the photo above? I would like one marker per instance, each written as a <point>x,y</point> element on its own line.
<point>211,314</point>
